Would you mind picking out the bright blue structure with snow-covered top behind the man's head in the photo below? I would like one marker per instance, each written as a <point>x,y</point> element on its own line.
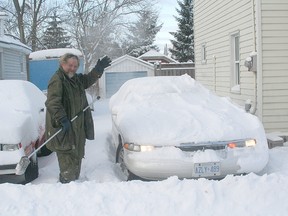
<point>44,63</point>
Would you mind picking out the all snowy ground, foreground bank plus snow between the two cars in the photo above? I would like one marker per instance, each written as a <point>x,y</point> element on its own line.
<point>100,190</point>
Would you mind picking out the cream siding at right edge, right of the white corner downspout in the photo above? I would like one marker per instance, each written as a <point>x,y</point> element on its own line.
<point>274,29</point>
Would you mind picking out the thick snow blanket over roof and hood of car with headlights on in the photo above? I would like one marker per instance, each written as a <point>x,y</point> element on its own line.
<point>175,110</point>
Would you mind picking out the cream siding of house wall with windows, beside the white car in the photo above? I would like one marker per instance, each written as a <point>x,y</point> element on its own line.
<point>214,25</point>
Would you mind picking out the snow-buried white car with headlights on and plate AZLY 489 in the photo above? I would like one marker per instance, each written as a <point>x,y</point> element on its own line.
<point>174,126</point>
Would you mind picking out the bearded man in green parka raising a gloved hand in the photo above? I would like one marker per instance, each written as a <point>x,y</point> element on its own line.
<point>66,98</point>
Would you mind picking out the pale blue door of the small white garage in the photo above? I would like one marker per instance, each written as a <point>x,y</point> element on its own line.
<point>114,80</point>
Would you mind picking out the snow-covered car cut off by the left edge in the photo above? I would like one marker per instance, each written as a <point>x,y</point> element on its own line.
<point>22,127</point>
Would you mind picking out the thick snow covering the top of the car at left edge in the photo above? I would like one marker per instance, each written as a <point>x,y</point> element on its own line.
<point>22,112</point>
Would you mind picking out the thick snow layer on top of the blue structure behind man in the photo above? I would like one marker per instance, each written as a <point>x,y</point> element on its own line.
<point>53,53</point>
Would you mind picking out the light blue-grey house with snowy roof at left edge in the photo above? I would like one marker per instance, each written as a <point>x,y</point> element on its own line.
<point>13,55</point>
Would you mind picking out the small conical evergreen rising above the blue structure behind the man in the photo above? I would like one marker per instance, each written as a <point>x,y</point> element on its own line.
<point>55,36</point>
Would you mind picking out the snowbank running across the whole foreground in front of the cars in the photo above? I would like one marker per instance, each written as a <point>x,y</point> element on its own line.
<point>246,195</point>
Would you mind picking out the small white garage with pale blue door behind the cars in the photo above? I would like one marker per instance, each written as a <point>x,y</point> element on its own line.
<point>122,69</point>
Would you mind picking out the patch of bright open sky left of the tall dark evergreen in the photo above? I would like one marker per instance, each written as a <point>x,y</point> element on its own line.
<point>167,8</point>
